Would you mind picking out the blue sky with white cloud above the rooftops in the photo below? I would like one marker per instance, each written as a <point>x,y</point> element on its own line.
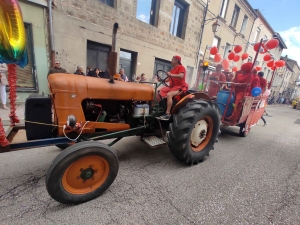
<point>284,18</point>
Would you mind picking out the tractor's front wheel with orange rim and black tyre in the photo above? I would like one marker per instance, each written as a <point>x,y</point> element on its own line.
<point>81,172</point>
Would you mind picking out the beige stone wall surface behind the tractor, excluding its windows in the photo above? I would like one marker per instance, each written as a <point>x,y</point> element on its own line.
<point>76,22</point>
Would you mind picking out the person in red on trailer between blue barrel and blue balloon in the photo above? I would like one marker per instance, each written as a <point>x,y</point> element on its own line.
<point>242,80</point>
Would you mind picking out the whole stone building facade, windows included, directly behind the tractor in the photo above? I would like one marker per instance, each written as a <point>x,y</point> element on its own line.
<point>150,33</point>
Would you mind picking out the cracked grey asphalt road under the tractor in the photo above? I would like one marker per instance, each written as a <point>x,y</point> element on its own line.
<point>252,180</point>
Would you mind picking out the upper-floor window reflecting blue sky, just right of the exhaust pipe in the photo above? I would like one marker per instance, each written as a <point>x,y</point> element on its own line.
<point>147,11</point>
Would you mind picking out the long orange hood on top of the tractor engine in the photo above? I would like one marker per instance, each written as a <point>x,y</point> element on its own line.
<point>86,87</point>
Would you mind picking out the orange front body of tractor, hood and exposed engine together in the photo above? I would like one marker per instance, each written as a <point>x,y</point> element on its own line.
<point>98,101</point>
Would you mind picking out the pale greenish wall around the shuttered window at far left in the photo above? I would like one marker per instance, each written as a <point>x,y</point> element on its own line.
<point>35,15</point>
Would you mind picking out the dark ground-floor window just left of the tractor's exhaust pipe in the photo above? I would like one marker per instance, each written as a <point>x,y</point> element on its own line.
<point>97,55</point>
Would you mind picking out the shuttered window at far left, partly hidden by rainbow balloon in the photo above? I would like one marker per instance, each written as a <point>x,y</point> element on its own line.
<point>26,80</point>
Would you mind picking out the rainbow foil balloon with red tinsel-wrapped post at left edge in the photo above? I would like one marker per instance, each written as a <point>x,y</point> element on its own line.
<point>12,52</point>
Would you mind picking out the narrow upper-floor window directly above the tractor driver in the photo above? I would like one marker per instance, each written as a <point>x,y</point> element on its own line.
<point>178,15</point>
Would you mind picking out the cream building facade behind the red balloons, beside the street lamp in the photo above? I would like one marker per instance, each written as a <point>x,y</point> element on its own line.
<point>236,19</point>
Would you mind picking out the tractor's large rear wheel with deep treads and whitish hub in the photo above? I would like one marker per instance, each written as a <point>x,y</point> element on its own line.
<point>194,131</point>
